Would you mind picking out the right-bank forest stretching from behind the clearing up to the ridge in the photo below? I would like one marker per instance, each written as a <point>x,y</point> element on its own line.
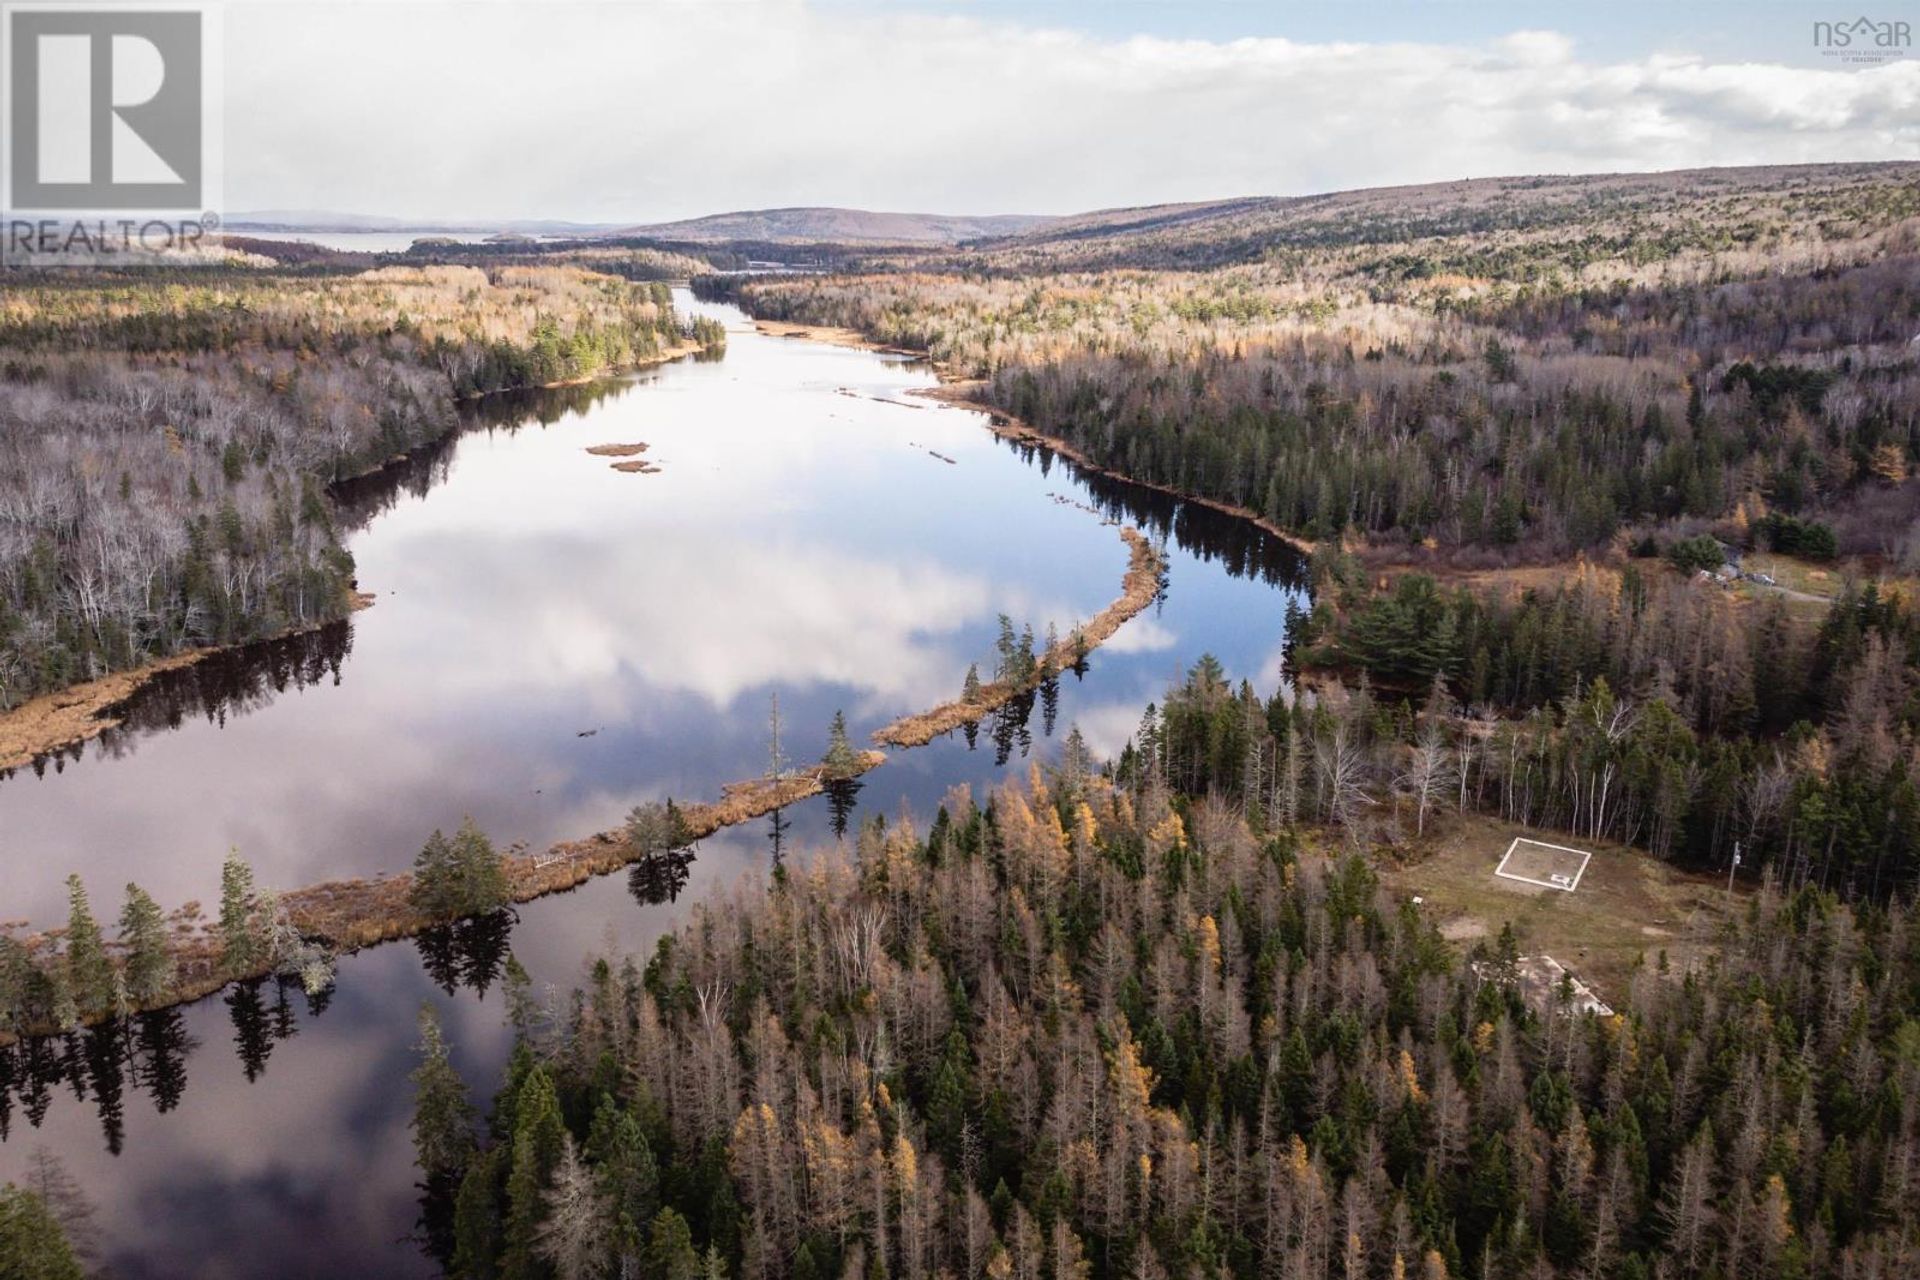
<point>1524,425</point>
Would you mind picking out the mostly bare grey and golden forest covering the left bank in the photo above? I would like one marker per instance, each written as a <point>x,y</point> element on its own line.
<point>166,448</point>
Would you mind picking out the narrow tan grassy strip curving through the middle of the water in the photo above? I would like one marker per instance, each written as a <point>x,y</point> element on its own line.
<point>356,914</point>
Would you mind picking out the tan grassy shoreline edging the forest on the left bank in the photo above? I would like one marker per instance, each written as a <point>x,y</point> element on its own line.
<point>60,721</point>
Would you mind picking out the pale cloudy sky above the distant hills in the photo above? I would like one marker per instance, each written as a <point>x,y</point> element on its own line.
<point>654,110</point>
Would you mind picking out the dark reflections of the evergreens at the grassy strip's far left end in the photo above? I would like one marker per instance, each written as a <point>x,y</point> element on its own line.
<point>147,1053</point>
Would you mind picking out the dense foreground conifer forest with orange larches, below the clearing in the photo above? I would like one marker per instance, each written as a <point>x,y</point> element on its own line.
<point>1086,1031</point>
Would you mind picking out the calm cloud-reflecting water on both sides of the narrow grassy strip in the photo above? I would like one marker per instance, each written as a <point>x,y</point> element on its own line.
<point>554,644</point>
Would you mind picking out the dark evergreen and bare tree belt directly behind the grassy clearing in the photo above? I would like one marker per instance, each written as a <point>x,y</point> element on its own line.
<point>1629,707</point>
